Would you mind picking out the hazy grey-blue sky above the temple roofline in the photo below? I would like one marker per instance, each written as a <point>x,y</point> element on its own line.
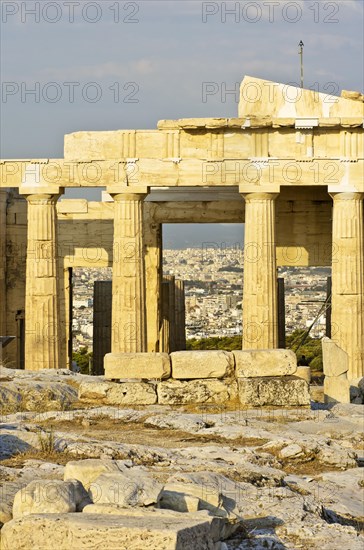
<point>117,64</point>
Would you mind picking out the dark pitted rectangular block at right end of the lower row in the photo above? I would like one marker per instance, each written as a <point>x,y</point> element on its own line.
<point>275,391</point>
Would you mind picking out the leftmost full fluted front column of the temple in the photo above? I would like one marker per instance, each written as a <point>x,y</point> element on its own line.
<point>42,344</point>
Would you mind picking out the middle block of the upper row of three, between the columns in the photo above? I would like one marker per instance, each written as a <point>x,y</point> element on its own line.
<point>189,365</point>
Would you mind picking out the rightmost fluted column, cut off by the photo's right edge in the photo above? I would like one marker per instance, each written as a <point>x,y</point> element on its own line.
<point>348,278</point>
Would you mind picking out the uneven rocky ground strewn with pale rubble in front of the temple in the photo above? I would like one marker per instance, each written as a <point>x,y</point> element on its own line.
<point>270,478</point>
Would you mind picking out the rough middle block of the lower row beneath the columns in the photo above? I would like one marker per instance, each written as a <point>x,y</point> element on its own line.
<point>175,392</point>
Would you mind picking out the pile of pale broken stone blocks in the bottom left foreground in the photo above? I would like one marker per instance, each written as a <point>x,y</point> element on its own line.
<point>119,507</point>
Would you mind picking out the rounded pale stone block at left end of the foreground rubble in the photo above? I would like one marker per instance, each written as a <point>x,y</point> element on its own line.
<point>51,496</point>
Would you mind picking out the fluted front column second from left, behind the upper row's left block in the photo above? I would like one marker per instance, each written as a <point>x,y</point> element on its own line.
<point>129,330</point>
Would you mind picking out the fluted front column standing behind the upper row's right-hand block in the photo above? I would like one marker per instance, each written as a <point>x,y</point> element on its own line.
<point>260,310</point>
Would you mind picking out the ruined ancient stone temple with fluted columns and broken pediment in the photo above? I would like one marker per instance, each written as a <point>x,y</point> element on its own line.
<point>290,167</point>
